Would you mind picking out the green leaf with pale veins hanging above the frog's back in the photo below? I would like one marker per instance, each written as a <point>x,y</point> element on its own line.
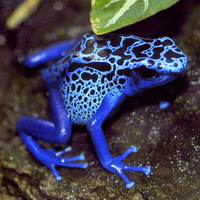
<point>109,15</point>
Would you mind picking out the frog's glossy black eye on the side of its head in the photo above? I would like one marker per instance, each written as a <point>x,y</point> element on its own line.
<point>146,73</point>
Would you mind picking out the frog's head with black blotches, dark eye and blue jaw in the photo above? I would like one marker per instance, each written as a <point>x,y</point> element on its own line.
<point>157,62</point>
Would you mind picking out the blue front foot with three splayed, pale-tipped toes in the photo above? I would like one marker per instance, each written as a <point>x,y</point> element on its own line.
<point>118,167</point>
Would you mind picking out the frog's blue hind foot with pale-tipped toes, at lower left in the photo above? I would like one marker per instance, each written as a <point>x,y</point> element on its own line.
<point>51,159</point>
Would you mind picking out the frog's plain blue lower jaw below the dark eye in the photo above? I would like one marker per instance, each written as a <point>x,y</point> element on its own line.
<point>144,84</point>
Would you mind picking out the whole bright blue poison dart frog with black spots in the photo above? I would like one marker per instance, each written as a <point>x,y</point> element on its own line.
<point>88,85</point>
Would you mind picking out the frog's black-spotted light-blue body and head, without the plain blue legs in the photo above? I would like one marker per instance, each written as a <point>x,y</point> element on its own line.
<point>100,64</point>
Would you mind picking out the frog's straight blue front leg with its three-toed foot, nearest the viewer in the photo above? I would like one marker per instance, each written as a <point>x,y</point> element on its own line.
<point>113,164</point>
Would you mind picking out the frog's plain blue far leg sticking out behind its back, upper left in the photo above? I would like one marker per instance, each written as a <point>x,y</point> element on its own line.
<point>52,52</point>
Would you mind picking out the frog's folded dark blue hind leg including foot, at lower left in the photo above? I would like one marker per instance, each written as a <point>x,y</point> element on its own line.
<point>57,130</point>
